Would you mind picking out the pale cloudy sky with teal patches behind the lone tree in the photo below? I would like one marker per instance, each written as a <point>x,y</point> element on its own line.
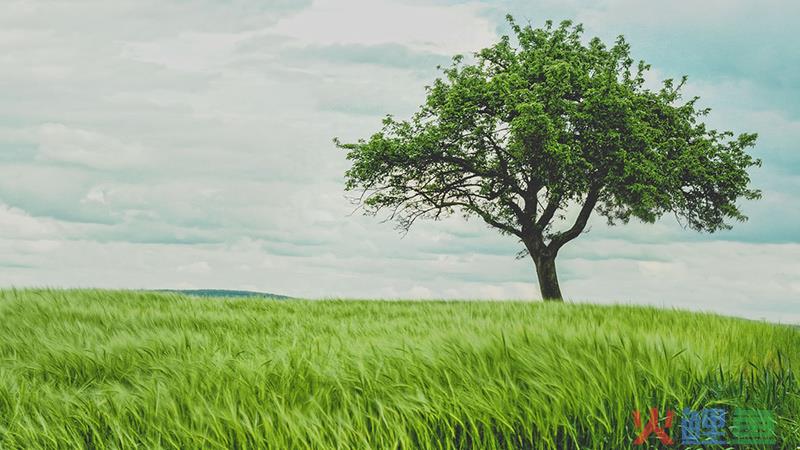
<point>161,144</point>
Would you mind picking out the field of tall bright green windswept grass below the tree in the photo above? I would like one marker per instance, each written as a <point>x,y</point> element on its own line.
<point>115,369</point>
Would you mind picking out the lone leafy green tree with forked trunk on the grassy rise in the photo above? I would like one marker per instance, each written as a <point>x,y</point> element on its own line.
<point>534,137</point>
